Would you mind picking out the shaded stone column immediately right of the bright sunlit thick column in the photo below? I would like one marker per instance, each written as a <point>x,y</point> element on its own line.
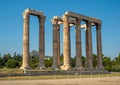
<point>78,46</point>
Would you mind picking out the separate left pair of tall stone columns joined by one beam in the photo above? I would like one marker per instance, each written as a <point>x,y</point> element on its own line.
<point>26,45</point>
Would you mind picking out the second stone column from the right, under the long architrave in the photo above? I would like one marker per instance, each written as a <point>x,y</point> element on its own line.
<point>89,46</point>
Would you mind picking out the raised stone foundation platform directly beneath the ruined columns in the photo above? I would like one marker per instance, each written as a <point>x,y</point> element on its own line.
<point>71,72</point>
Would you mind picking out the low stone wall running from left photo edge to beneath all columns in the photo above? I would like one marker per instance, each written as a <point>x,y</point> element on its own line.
<point>59,72</point>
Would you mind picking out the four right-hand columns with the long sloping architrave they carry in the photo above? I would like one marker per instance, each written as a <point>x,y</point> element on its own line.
<point>74,19</point>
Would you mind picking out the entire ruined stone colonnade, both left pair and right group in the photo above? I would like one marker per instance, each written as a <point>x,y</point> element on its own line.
<point>69,19</point>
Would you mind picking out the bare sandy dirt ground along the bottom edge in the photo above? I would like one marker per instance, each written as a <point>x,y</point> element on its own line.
<point>79,81</point>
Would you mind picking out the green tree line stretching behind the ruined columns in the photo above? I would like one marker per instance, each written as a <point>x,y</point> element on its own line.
<point>15,61</point>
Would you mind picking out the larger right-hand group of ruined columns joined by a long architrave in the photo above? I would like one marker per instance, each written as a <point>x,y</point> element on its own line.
<point>68,19</point>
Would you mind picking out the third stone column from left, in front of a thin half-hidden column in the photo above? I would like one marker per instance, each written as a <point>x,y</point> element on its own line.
<point>55,44</point>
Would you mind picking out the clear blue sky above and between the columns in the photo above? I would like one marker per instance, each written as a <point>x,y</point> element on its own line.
<point>11,23</point>
